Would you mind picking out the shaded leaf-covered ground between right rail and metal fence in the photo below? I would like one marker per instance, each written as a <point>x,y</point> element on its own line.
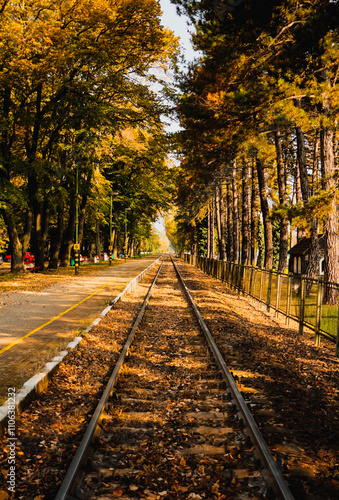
<point>300,381</point>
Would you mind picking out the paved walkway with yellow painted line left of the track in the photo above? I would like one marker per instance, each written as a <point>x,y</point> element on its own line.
<point>34,327</point>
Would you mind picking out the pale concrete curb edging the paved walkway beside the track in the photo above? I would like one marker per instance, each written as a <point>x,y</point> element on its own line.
<point>38,383</point>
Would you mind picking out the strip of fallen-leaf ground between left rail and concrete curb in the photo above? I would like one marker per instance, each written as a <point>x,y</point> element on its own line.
<point>50,430</point>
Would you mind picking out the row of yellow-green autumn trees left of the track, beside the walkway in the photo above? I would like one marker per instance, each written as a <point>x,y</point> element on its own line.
<point>76,100</point>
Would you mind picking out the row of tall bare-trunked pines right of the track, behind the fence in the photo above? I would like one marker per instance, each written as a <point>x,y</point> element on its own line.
<point>259,145</point>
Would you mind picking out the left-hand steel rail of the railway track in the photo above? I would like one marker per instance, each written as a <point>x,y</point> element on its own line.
<point>81,454</point>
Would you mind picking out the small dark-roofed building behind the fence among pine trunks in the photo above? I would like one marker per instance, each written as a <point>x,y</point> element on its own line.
<point>299,255</point>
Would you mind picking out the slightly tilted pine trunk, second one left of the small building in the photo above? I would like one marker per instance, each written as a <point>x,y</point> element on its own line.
<point>266,215</point>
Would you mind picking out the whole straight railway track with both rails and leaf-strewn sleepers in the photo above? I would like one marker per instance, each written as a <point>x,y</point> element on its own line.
<point>171,422</point>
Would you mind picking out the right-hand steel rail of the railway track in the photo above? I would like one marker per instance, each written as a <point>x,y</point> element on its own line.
<point>278,483</point>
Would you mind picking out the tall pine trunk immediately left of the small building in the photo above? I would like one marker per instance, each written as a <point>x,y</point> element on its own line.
<point>281,174</point>
